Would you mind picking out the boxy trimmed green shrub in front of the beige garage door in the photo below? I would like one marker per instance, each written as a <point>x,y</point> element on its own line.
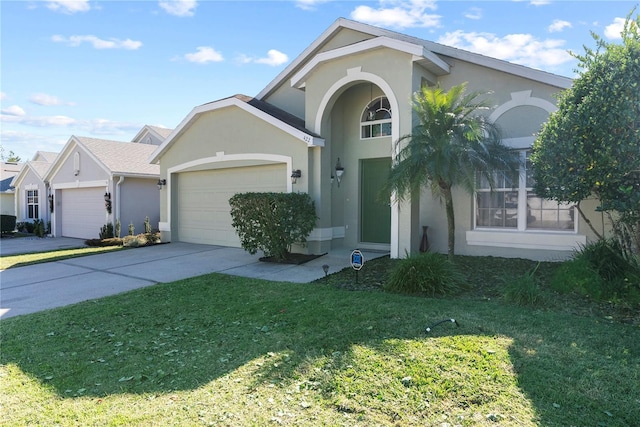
<point>272,222</point>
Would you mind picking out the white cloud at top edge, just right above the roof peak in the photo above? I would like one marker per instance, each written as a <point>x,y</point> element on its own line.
<point>399,14</point>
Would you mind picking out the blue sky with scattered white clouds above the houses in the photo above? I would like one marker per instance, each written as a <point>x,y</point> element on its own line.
<point>106,68</point>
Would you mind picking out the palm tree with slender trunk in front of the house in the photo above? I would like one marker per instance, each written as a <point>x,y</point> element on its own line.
<point>452,145</point>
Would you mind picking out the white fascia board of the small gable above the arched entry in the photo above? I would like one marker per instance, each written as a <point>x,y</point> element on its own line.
<point>418,52</point>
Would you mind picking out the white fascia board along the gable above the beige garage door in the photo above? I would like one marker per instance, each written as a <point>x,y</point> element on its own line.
<point>310,140</point>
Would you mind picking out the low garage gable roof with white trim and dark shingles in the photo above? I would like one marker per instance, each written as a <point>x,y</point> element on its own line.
<point>271,114</point>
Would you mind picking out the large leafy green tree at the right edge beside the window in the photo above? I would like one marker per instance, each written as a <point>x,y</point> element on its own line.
<point>591,144</point>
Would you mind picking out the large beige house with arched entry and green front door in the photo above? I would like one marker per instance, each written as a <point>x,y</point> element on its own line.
<point>334,114</point>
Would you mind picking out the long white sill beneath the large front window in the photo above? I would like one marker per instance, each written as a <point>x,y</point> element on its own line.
<point>555,241</point>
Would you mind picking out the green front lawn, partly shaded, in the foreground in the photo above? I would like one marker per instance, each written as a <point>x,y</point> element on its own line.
<point>223,350</point>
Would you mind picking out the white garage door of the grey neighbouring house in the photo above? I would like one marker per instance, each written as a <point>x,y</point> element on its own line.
<point>83,212</point>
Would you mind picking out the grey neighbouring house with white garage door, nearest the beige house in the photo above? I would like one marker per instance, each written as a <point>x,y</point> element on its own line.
<point>96,181</point>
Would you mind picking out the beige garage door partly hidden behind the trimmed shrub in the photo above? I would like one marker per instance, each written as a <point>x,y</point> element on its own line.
<point>203,200</point>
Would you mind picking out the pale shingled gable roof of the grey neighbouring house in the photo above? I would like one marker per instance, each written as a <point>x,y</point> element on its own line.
<point>115,157</point>
